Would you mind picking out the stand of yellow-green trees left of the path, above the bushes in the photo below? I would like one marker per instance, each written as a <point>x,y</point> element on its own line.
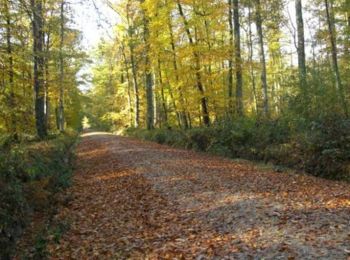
<point>40,58</point>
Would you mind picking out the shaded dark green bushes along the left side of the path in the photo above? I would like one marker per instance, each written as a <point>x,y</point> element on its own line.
<point>30,174</point>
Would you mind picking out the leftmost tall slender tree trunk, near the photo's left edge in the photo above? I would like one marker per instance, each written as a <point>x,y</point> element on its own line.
<point>11,96</point>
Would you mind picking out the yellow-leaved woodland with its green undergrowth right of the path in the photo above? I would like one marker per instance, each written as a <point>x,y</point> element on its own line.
<point>267,80</point>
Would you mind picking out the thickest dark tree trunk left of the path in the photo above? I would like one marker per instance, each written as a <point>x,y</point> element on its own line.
<point>38,40</point>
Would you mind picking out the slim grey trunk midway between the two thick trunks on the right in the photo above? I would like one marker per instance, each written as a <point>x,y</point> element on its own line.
<point>262,57</point>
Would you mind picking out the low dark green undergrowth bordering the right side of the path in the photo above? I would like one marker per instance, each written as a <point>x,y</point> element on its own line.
<point>320,146</point>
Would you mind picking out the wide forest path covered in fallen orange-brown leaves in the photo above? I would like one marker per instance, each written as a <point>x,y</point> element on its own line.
<point>139,200</point>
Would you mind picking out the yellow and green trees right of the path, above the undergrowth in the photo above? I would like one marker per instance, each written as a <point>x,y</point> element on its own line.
<point>194,63</point>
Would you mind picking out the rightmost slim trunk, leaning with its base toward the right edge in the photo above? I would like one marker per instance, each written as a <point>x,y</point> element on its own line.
<point>334,52</point>
